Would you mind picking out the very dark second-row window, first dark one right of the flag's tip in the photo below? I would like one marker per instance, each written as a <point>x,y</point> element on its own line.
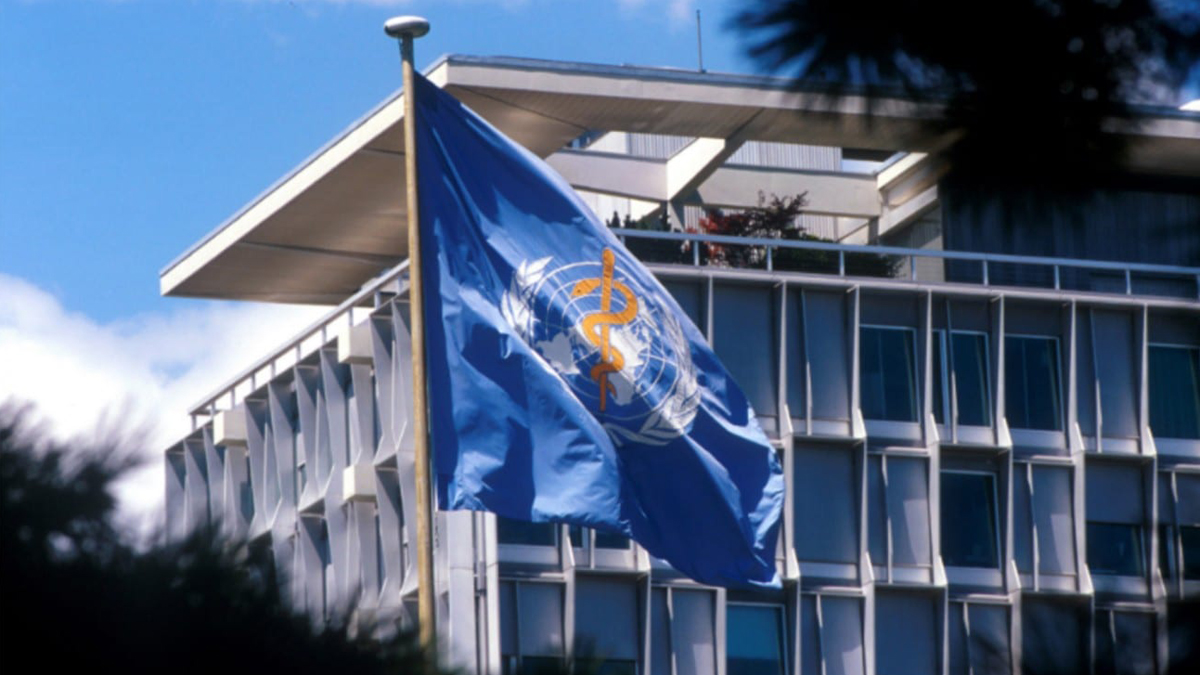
<point>969,521</point>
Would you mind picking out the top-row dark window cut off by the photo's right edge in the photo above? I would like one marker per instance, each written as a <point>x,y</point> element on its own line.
<point>1175,392</point>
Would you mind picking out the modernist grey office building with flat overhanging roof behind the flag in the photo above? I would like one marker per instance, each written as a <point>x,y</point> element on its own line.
<point>993,458</point>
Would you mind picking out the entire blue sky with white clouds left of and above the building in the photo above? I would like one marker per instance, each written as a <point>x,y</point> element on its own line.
<point>131,129</point>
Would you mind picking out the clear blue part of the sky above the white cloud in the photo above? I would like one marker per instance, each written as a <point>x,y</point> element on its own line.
<point>129,130</point>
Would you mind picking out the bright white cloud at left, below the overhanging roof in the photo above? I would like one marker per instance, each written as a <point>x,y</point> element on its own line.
<point>137,375</point>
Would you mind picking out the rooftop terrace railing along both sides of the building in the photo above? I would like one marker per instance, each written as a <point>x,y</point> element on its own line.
<point>694,250</point>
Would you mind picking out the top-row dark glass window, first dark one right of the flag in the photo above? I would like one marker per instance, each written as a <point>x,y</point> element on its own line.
<point>889,374</point>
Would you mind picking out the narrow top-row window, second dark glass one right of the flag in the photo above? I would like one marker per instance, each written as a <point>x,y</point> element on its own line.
<point>968,361</point>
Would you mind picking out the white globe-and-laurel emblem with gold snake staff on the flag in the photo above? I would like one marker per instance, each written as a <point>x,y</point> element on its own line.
<point>613,342</point>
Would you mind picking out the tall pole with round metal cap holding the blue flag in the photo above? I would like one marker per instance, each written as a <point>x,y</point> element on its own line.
<point>407,29</point>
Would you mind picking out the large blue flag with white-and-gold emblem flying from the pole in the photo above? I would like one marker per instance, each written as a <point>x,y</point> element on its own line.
<point>566,384</point>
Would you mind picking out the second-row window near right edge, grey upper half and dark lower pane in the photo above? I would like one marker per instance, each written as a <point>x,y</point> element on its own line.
<point>1115,521</point>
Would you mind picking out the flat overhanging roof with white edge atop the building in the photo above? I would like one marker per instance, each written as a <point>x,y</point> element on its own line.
<point>338,220</point>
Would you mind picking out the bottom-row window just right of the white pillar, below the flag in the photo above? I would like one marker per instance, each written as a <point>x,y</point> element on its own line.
<point>531,628</point>
